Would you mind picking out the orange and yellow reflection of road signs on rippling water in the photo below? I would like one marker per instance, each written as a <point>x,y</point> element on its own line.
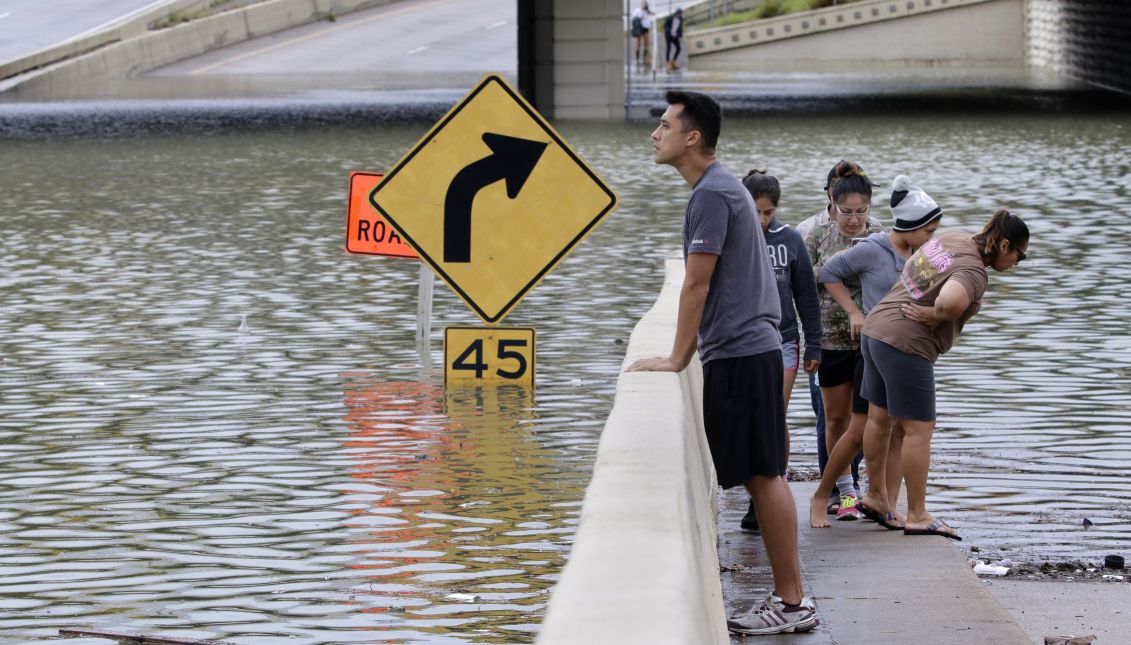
<point>438,483</point>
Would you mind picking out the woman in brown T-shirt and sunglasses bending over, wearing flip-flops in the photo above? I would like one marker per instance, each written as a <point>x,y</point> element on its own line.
<point>938,293</point>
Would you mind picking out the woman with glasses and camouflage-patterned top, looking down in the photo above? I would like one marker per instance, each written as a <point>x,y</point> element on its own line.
<point>842,365</point>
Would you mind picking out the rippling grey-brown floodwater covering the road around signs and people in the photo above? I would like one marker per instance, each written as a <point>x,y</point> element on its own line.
<point>308,481</point>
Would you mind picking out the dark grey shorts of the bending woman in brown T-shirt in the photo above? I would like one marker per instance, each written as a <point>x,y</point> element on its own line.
<point>901,383</point>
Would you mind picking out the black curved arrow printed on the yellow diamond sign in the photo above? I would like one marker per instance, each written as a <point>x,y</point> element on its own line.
<point>512,159</point>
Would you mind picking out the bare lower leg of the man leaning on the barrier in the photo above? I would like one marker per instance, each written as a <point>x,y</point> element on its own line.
<point>779,520</point>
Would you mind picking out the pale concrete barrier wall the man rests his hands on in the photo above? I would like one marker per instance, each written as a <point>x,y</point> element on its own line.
<point>644,566</point>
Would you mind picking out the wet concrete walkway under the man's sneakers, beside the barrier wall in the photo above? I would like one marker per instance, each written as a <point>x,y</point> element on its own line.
<point>871,586</point>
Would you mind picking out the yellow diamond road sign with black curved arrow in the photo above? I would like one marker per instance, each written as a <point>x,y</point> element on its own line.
<point>493,199</point>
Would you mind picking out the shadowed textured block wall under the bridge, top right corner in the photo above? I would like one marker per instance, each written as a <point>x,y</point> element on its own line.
<point>1083,40</point>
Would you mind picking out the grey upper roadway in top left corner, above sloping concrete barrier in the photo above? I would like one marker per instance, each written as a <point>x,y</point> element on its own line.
<point>28,27</point>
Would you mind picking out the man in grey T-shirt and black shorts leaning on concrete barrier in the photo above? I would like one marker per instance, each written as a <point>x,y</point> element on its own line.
<point>729,312</point>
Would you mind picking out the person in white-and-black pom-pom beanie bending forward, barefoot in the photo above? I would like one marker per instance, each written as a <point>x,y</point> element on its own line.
<point>877,262</point>
